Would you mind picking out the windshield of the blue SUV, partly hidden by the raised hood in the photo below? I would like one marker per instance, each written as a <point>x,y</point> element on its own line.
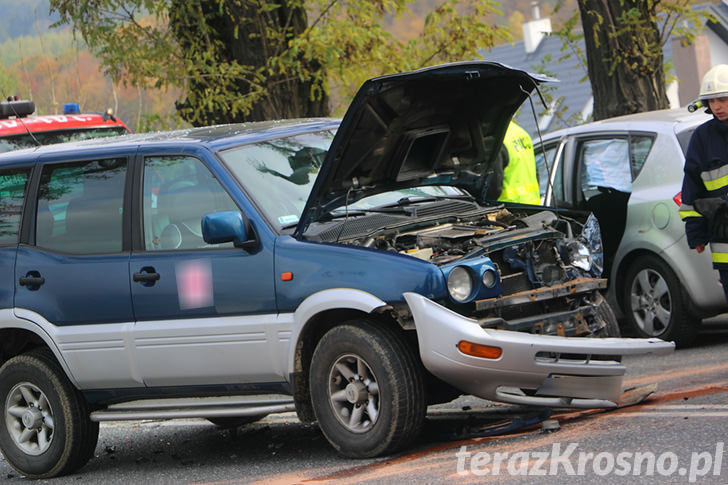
<point>279,175</point>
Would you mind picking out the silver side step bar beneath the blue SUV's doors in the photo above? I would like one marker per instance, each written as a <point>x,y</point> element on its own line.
<point>206,407</point>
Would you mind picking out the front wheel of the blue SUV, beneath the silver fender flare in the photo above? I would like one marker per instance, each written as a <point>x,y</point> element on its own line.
<point>367,389</point>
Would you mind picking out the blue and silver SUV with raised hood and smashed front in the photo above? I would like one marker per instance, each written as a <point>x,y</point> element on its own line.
<point>350,270</point>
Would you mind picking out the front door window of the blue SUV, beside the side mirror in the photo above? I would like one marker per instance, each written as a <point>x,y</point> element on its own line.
<point>178,192</point>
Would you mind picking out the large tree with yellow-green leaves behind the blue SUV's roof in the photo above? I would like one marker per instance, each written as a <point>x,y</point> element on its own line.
<point>242,60</point>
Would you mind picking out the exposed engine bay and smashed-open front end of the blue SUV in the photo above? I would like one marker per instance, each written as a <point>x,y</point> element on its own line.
<point>537,257</point>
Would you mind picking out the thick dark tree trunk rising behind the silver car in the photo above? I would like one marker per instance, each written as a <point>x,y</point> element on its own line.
<point>624,41</point>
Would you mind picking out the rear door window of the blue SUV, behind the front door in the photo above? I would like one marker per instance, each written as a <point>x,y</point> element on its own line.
<point>80,207</point>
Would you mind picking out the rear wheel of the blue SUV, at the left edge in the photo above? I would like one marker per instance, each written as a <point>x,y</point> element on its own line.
<point>45,429</point>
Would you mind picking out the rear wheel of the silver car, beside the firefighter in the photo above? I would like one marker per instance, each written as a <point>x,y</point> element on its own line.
<point>655,304</point>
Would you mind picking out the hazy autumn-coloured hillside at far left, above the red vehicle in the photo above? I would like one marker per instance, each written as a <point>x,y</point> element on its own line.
<point>51,67</point>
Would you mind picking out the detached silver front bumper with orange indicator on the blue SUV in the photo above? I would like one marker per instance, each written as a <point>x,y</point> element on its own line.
<point>541,370</point>
